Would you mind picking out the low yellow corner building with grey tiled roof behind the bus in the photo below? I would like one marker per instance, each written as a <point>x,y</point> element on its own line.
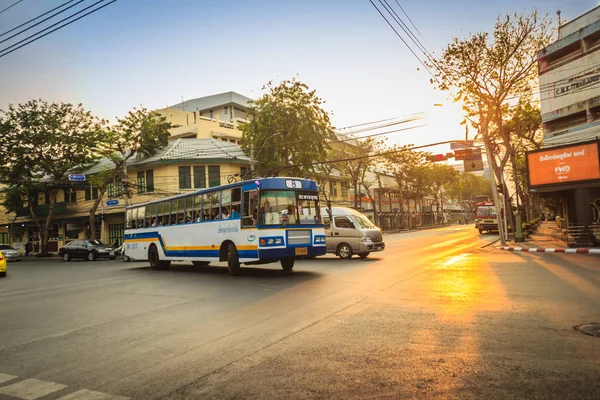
<point>183,165</point>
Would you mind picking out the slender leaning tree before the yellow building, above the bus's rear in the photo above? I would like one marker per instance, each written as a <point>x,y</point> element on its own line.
<point>140,134</point>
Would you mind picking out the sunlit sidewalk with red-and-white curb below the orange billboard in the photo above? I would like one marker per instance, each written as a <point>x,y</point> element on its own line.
<point>546,239</point>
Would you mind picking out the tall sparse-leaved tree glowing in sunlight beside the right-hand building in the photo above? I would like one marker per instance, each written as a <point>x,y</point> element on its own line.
<point>486,72</point>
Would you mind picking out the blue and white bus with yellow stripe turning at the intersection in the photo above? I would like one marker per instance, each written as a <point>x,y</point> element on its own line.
<point>250,222</point>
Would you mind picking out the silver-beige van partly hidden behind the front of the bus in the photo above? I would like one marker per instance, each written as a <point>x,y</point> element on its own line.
<point>349,232</point>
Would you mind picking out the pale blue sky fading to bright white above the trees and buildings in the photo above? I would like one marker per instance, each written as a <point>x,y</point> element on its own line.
<point>154,53</point>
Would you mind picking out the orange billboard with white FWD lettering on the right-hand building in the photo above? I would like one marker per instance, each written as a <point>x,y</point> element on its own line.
<point>563,165</point>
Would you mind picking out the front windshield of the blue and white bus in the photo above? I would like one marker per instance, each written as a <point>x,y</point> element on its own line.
<point>288,207</point>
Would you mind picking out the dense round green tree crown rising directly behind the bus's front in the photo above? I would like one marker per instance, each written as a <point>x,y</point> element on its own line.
<point>287,129</point>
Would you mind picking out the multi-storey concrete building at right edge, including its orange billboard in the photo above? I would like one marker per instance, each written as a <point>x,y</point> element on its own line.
<point>567,170</point>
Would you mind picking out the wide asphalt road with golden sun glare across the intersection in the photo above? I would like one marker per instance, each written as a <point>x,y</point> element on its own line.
<point>433,316</point>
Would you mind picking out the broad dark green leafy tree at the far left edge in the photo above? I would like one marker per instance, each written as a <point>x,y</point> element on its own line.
<point>42,142</point>
